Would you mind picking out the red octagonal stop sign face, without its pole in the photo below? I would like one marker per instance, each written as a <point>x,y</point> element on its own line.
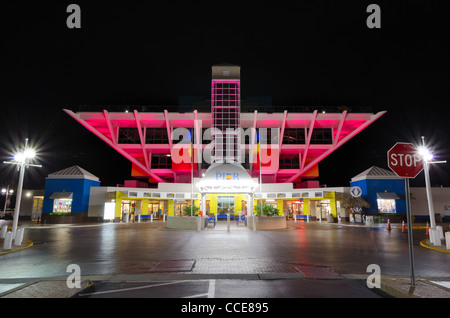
<point>405,160</point>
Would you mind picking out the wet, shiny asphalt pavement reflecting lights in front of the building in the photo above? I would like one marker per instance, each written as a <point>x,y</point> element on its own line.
<point>135,254</point>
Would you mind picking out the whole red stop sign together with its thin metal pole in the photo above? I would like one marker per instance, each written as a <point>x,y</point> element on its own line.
<point>405,161</point>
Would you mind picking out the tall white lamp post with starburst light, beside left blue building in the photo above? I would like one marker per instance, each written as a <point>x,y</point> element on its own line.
<point>21,161</point>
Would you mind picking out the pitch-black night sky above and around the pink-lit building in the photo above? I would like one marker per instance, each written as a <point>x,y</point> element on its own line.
<point>150,53</point>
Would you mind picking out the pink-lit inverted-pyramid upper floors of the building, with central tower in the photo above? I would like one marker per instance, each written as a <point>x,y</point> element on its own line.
<point>289,144</point>
